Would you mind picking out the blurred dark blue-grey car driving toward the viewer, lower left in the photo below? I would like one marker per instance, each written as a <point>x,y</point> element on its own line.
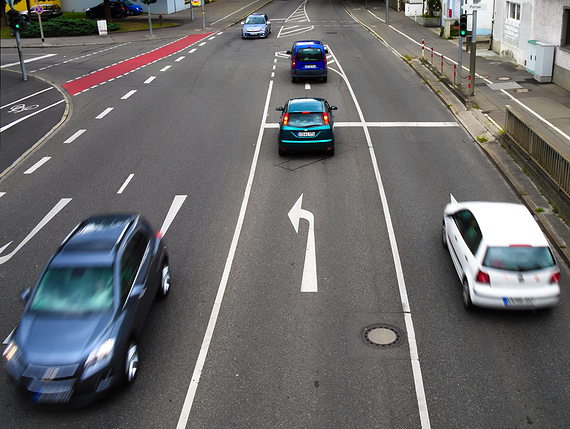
<point>79,331</point>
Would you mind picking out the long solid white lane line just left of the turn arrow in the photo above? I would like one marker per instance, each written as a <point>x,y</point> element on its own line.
<point>185,413</point>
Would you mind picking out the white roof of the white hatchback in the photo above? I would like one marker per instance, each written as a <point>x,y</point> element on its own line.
<point>505,224</point>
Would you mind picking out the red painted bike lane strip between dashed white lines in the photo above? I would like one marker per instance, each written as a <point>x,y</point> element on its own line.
<point>100,76</point>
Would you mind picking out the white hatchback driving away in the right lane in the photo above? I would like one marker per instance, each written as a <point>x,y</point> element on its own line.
<point>501,256</point>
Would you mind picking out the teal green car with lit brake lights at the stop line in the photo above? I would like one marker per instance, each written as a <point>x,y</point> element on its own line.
<point>306,125</point>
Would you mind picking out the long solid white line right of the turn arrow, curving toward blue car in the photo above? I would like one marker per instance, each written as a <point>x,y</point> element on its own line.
<point>414,356</point>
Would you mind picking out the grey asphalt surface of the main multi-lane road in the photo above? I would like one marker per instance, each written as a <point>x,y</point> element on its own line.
<point>237,343</point>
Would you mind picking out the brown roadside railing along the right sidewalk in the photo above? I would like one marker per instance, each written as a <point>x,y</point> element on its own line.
<point>546,150</point>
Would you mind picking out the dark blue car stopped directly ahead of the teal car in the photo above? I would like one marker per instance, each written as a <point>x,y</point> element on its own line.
<point>308,60</point>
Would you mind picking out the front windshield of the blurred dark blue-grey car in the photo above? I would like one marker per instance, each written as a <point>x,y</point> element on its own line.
<point>74,290</point>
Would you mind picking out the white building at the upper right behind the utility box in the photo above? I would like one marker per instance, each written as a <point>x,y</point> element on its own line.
<point>548,21</point>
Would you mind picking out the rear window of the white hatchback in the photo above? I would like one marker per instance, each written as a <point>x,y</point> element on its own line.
<point>518,258</point>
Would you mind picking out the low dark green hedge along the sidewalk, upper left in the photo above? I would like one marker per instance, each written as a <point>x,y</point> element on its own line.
<point>65,27</point>
